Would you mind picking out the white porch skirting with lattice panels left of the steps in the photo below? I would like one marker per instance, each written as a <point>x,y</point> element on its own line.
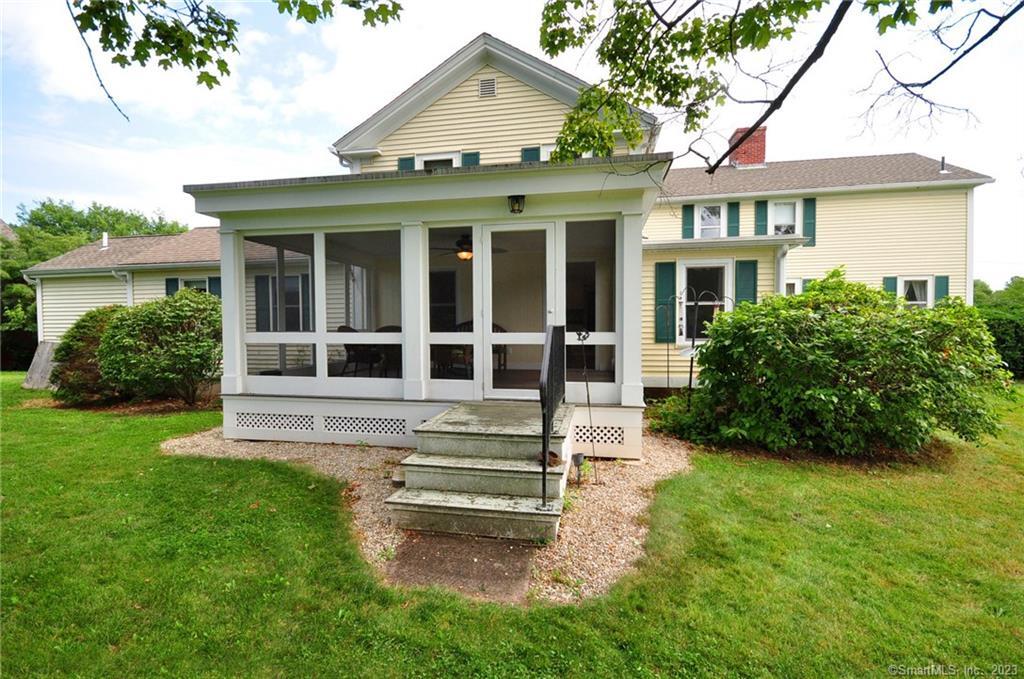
<point>325,420</point>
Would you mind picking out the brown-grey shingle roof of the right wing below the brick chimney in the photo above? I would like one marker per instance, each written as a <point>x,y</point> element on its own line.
<point>815,175</point>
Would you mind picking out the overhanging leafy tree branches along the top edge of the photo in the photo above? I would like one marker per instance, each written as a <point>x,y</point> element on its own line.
<point>685,59</point>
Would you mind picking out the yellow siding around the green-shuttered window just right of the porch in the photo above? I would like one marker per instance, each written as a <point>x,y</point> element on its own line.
<point>654,358</point>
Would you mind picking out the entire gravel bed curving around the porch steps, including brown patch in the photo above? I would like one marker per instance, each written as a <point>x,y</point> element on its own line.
<point>603,532</point>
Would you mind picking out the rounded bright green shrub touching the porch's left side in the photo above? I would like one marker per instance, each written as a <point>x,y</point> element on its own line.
<point>169,347</point>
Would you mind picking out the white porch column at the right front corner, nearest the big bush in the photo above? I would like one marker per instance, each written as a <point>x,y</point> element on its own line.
<point>631,329</point>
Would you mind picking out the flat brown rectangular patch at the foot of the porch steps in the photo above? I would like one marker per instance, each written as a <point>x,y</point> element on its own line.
<point>479,568</point>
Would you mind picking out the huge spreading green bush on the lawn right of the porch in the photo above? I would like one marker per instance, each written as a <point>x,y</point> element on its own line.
<point>843,369</point>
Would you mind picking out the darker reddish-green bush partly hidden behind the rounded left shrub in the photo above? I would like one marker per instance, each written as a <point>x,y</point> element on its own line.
<point>76,373</point>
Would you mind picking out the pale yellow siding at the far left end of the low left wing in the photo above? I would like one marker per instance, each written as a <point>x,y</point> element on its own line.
<point>66,300</point>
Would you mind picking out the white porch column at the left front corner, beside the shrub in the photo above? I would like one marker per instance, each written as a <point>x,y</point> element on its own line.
<point>233,291</point>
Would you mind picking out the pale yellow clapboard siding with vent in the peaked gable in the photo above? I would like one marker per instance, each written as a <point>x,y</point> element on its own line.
<point>498,128</point>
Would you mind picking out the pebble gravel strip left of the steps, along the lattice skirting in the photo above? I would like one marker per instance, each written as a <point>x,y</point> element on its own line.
<point>367,471</point>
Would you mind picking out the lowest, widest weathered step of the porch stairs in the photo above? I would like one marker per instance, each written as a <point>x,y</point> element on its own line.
<point>514,518</point>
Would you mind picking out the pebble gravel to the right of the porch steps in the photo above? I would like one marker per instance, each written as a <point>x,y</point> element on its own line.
<point>605,527</point>
